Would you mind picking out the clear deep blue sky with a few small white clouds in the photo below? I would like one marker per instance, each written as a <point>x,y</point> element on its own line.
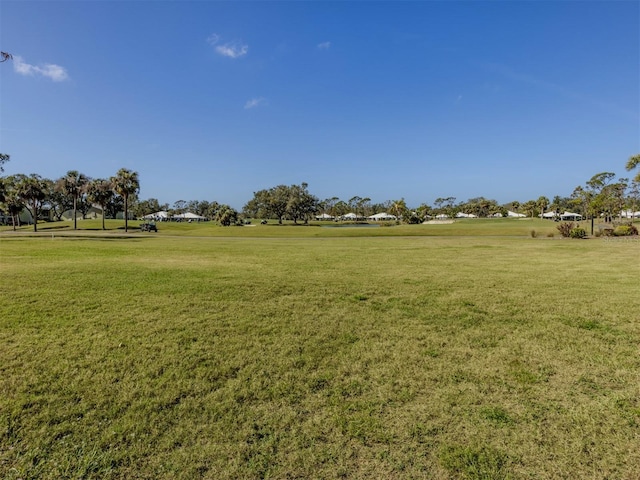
<point>213,100</point>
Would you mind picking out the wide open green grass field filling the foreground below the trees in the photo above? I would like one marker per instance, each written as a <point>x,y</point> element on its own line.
<point>467,351</point>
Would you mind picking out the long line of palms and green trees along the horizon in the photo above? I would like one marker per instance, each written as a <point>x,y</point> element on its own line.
<point>601,196</point>
